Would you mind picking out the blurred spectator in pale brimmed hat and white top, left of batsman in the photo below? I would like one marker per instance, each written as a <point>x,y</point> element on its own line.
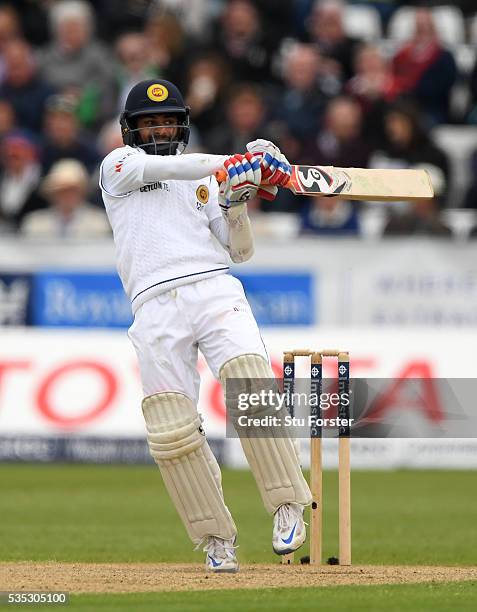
<point>69,214</point>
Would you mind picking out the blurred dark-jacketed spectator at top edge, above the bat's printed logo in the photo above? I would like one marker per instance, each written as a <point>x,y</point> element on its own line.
<point>326,30</point>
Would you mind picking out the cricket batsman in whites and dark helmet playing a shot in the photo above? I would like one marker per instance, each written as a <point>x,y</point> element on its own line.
<point>175,229</point>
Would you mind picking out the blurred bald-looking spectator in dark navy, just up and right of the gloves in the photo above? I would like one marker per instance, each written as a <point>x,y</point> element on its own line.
<point>302,102</point>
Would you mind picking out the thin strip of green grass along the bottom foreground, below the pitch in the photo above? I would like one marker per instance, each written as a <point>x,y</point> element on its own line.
<point>392,598</point>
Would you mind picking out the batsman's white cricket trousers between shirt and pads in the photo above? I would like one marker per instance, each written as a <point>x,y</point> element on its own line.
<point>212,315</point>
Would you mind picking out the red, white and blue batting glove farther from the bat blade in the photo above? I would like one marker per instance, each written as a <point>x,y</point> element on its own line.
<point>243,179</point>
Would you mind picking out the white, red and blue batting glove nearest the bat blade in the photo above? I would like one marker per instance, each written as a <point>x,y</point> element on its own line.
<point>276,169</point>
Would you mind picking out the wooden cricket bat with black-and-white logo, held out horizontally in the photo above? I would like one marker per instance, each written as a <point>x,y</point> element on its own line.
<point>384,185</point>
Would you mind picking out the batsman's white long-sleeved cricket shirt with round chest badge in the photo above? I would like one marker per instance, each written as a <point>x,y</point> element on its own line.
<point>161,224</point>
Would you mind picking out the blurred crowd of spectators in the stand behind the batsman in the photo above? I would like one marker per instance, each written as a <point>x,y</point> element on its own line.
<point>287,70</point>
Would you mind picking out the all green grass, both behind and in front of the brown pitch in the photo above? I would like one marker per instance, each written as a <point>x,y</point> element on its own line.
<point>123,514</point>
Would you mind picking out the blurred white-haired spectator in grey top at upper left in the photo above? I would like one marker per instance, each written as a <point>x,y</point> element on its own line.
<point>76,62</point>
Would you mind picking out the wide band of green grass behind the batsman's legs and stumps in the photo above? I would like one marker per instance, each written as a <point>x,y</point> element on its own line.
<point>122,514</point>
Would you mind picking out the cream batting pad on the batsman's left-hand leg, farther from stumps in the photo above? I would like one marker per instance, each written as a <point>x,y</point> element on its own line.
<point>189,469</point>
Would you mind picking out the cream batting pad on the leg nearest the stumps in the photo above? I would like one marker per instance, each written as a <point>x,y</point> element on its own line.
<point>273,460</point>
